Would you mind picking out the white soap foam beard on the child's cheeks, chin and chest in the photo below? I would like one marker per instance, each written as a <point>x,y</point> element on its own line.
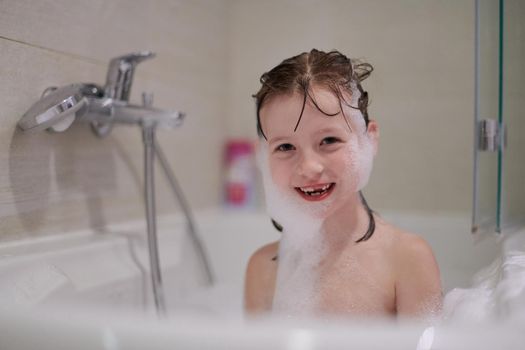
<point>302,245</point>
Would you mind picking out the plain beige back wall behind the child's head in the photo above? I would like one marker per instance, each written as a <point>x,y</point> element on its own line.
<point>421,90</point>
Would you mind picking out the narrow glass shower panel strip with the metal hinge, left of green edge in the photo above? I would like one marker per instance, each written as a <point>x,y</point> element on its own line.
<point>485,198</point>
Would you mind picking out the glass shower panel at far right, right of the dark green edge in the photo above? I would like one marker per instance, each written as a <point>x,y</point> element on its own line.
<point>512,181</point>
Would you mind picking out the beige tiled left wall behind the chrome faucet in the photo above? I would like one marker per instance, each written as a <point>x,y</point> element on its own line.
<point>53,183</point>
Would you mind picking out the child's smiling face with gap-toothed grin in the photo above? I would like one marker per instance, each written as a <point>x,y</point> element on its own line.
<point>324,161</point>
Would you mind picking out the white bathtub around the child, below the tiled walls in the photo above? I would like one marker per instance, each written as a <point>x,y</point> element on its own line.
<point>91,290</point>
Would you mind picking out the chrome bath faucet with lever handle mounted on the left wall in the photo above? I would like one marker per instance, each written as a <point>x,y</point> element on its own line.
<point>102,107</point>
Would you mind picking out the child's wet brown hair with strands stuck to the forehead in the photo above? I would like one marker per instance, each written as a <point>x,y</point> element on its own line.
<point>329,70</point>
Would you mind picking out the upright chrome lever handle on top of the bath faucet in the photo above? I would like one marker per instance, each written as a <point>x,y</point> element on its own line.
<point>120,74</point>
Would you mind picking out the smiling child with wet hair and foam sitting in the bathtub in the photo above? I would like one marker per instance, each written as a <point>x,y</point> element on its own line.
<point>336,256</point>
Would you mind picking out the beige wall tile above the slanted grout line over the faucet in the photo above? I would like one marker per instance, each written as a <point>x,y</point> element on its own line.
<point>103,29</point>
